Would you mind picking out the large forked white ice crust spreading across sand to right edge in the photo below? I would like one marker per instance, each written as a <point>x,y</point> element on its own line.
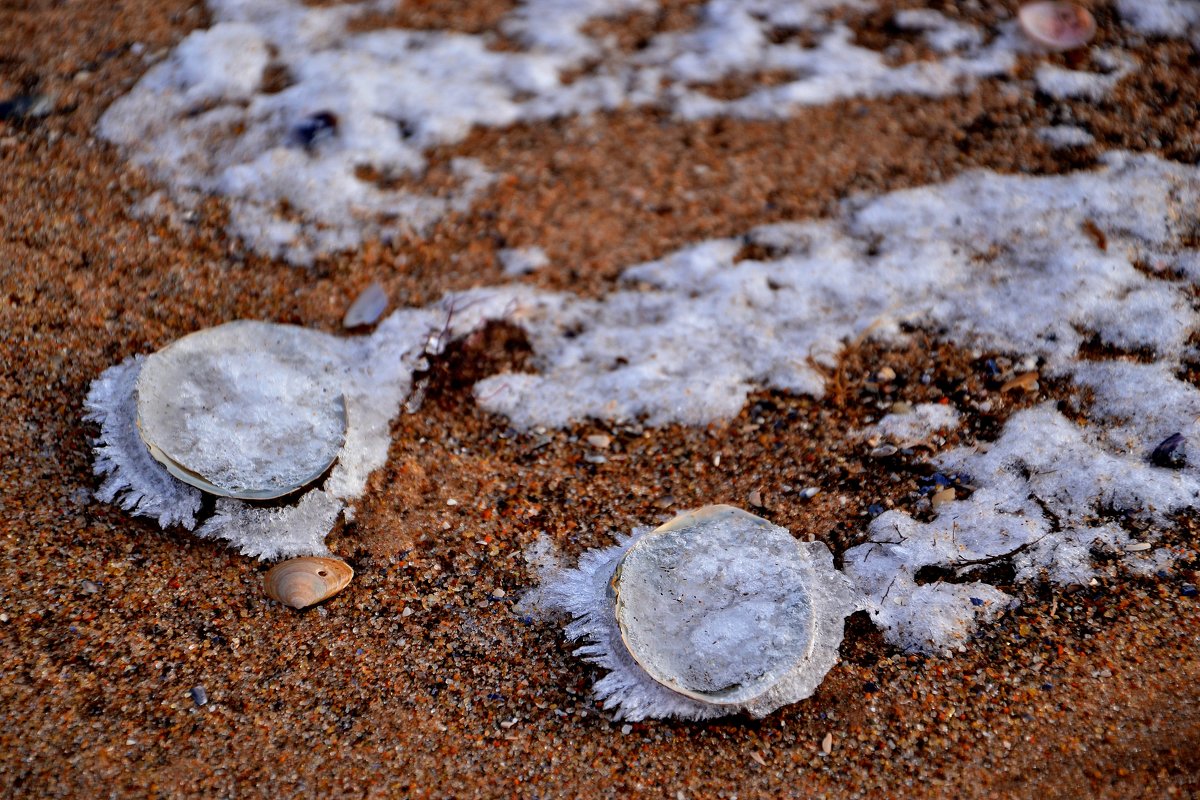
<point>1004,263</point>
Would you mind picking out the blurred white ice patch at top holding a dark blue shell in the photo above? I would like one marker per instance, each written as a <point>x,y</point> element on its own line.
<point>363,109</point>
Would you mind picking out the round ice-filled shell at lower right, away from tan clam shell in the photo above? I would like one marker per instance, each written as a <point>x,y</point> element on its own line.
<point>729,610</point>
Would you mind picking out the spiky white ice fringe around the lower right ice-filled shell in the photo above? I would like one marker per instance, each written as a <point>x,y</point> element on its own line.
<point>627,690</point>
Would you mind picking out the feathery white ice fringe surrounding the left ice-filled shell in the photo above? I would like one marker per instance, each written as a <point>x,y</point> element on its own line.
<point>375,375</point>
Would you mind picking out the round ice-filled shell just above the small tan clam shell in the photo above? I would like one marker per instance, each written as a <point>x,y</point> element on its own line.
<point>248,410</point>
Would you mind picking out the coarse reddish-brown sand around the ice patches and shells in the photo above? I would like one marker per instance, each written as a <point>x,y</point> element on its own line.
<point>424,678</point>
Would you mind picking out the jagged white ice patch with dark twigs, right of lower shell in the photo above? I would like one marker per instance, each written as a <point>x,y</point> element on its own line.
<point>1047,491</point>
